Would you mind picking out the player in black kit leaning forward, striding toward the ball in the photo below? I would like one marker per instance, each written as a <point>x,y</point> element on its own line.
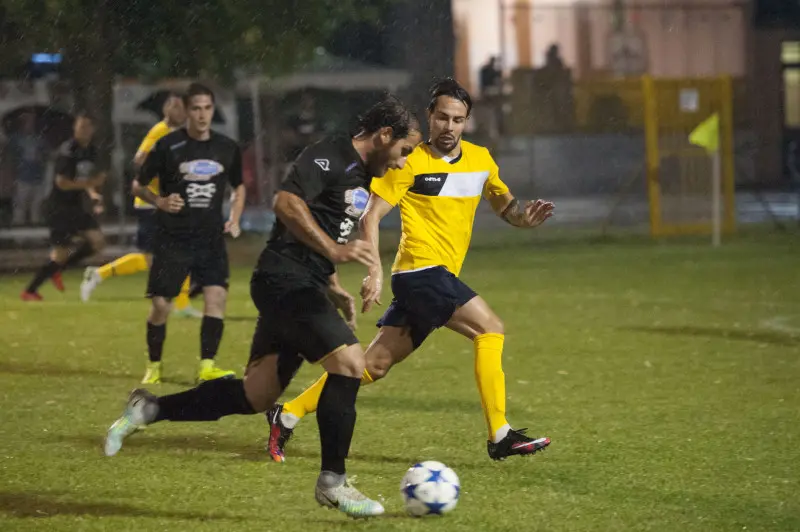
<point>296,291</point>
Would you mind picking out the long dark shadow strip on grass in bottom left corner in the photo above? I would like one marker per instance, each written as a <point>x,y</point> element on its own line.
<point>23,504</point>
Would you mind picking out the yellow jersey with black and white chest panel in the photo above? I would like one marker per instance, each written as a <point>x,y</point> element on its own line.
<point>437,199</point>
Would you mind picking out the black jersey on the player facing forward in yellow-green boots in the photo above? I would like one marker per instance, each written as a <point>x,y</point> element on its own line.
<point>199,171</point>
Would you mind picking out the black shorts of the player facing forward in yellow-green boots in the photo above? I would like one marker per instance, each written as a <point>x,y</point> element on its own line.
<point>174,258</point>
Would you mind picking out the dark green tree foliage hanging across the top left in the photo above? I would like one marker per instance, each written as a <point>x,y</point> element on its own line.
<point>210,39</point>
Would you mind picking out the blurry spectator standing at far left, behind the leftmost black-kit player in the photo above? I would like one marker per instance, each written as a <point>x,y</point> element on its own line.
<point>28,152</point>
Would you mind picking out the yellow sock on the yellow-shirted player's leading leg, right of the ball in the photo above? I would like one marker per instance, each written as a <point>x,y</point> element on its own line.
<point>491,380</point>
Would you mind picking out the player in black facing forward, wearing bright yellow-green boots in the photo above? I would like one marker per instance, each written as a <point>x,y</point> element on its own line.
<point>194,166</point>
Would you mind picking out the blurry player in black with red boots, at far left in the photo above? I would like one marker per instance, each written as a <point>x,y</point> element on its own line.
<point>74,232</point>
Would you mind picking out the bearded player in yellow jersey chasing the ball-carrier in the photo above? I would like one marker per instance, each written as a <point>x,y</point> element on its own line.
<point>437,192</point>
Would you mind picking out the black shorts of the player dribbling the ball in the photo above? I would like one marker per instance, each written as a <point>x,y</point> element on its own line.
<point>295,319</point>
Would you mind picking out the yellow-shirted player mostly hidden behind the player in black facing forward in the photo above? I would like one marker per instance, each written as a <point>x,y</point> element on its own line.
<point>174,116</point>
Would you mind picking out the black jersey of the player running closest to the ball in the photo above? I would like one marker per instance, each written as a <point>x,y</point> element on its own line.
<point>333,180</point>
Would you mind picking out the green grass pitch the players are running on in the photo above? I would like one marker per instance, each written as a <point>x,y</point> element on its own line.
<point>667,376</point>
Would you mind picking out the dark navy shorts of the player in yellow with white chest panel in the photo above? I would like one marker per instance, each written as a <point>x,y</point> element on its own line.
<point>424,301</point>
